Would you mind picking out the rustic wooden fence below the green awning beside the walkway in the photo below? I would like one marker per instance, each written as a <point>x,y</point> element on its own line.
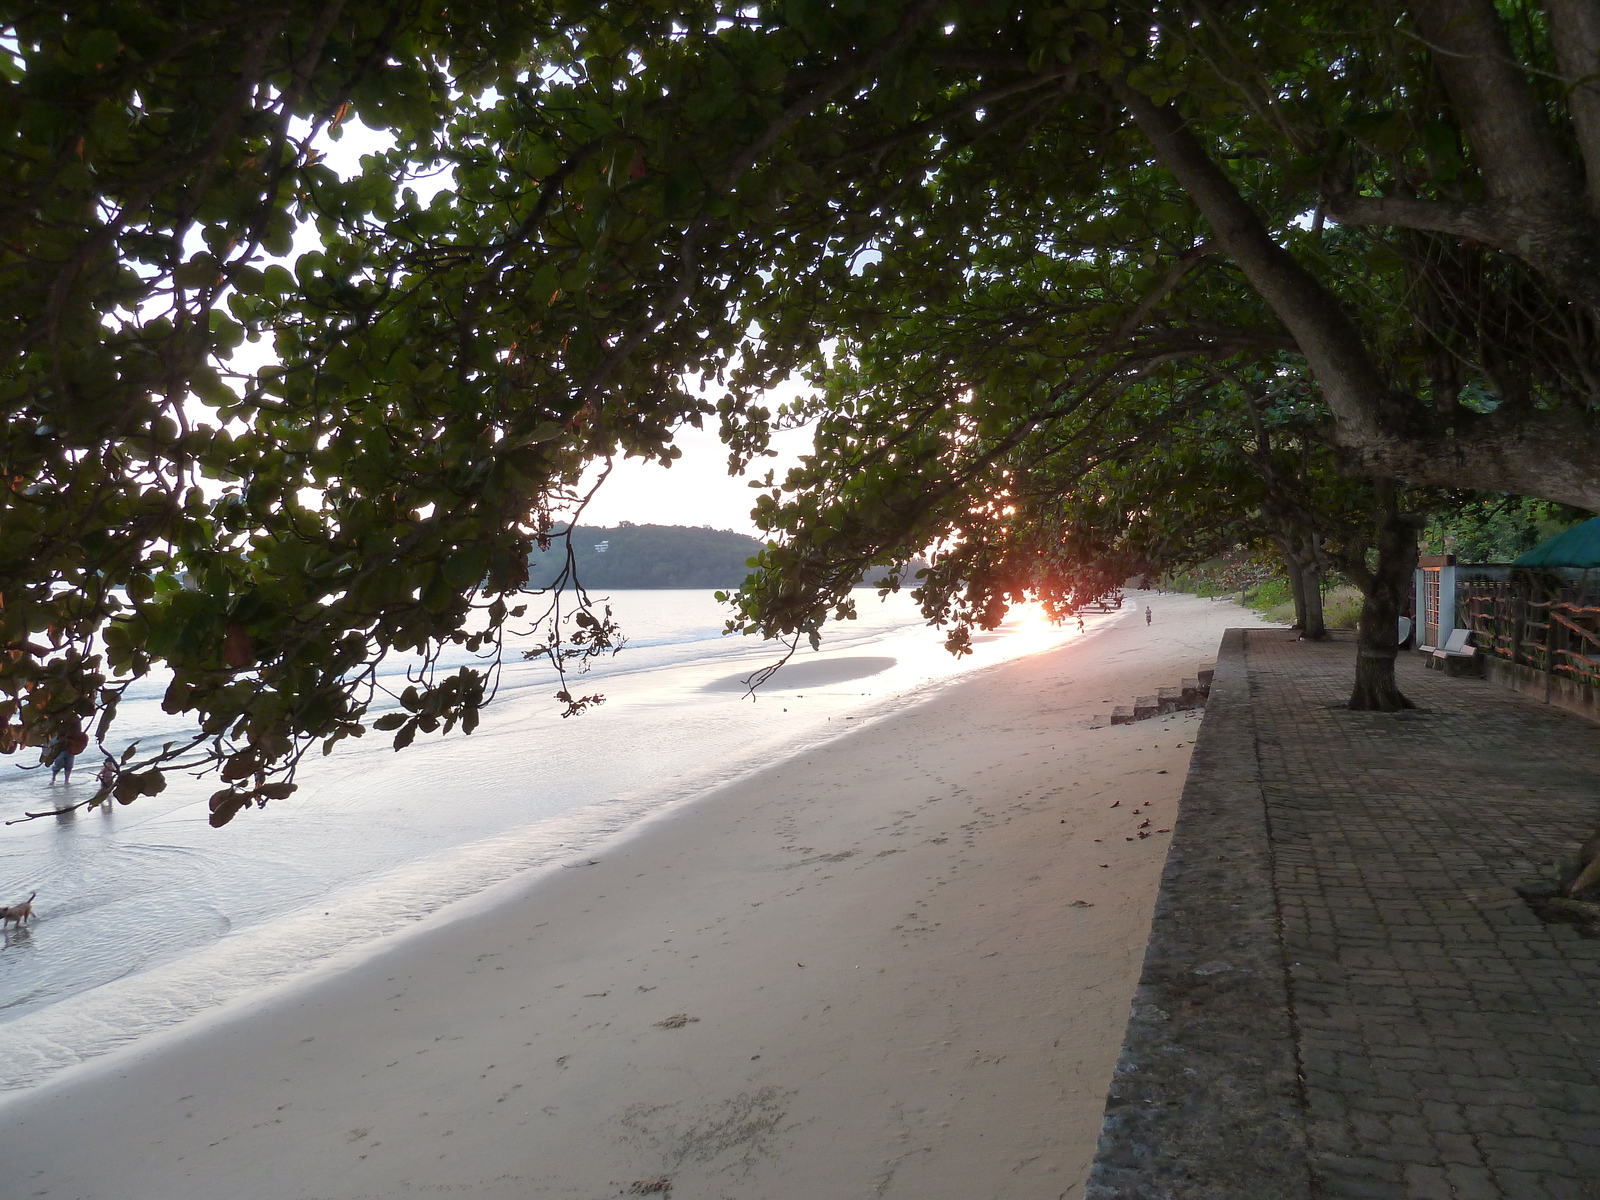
<point>1550,630</point>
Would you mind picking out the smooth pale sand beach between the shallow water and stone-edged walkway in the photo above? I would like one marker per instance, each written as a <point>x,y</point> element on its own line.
<point>860,974</point>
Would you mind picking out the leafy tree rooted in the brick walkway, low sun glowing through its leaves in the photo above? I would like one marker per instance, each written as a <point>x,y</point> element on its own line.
<point>1033,404</point>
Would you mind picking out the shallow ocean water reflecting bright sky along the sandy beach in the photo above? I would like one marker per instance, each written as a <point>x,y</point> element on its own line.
<point>148,918</point>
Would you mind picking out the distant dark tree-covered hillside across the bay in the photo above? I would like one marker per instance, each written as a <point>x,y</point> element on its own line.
<point>652,556</point>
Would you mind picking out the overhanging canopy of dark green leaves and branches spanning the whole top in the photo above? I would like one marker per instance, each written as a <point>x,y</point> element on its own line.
<point>631,194</point>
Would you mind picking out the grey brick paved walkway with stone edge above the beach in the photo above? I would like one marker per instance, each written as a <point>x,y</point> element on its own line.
<point>1343,994</point>
